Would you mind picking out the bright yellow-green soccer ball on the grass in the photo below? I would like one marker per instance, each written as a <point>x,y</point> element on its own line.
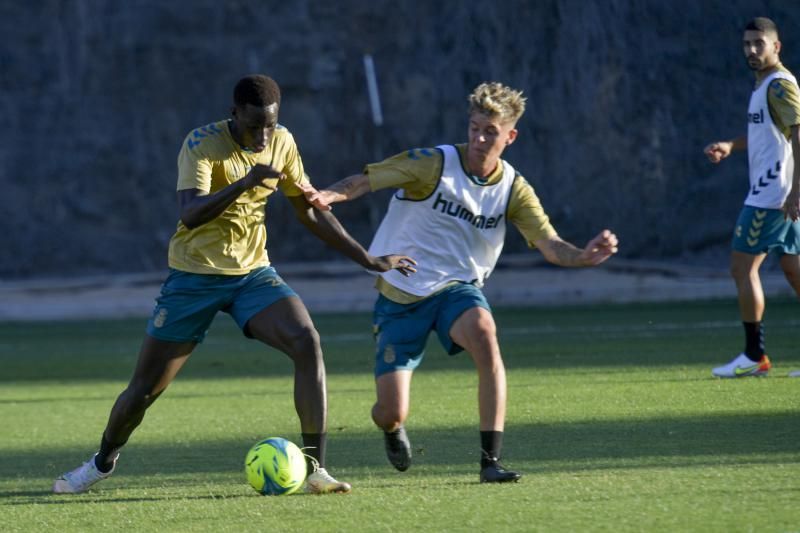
<point>275,466</point>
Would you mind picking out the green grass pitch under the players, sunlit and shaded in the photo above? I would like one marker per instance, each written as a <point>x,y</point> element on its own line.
<point>613,419</point>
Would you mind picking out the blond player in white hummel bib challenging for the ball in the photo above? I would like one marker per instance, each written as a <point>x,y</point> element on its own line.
<point>450,212</point>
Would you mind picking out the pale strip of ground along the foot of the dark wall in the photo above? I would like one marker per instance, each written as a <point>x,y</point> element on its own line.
<point>343,287</point>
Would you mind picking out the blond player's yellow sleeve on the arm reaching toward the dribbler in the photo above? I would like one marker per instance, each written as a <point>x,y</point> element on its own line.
<point>416,171</point>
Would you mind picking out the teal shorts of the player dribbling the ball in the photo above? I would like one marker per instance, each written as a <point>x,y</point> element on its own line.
<point>189,302</point>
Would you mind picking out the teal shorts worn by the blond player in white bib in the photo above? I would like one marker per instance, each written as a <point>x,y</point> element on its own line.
<point>401,330</point>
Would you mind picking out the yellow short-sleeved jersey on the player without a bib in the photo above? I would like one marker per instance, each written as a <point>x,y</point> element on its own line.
<point>234,243</point>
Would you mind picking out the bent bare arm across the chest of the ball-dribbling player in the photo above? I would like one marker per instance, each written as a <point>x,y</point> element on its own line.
<point>196,207</point>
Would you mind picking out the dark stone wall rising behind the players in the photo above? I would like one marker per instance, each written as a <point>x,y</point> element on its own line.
<point>623,95</point>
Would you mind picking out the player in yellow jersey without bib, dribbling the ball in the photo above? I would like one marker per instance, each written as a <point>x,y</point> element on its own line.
<point>218,262</point>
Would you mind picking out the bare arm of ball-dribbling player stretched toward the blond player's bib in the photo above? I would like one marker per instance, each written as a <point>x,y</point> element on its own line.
<point>326,226</point>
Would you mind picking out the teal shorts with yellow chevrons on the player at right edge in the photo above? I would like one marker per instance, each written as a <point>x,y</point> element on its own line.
<point>760,231</point>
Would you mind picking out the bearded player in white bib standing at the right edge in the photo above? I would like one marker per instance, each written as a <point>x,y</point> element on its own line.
<point>769,220</point>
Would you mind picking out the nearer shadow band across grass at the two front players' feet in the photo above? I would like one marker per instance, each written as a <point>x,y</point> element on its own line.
<point>666,442</point>
